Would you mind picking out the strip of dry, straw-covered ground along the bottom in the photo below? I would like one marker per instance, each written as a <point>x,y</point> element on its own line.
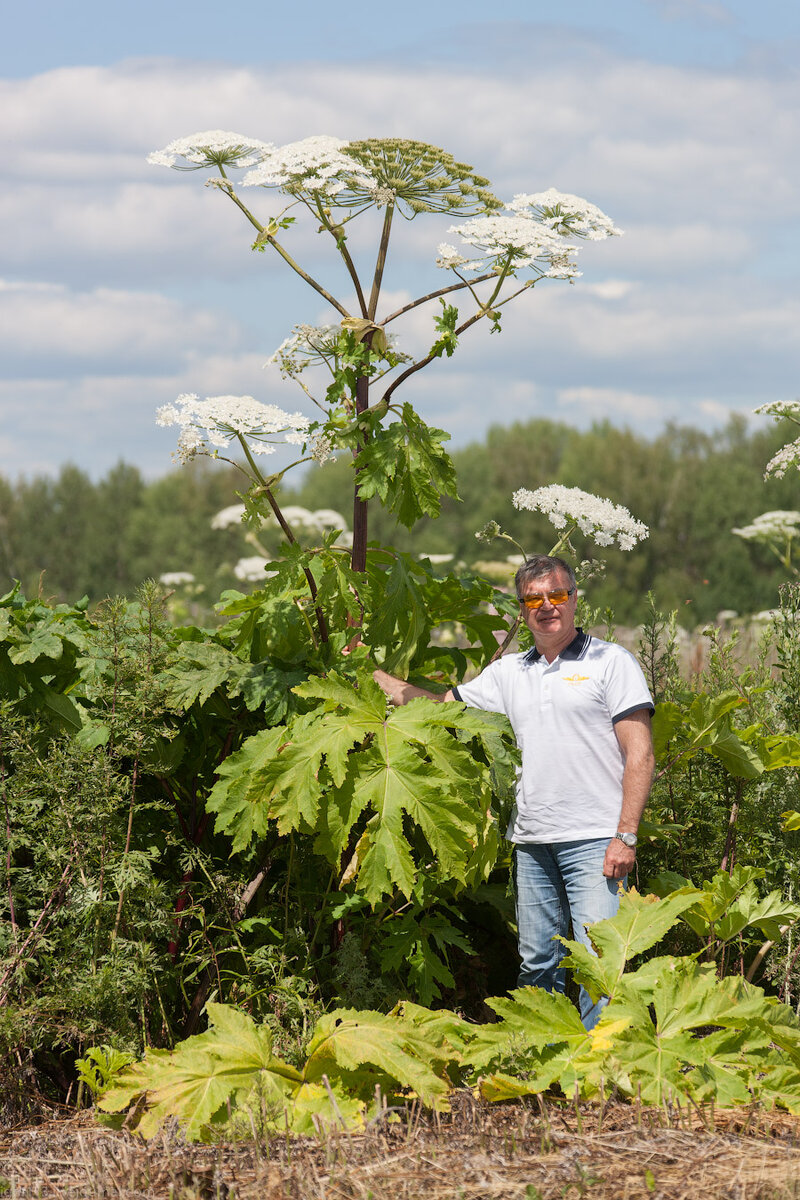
<point>522,1151</point>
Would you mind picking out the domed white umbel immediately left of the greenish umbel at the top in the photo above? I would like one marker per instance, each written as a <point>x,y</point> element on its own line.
<point>315,166</point>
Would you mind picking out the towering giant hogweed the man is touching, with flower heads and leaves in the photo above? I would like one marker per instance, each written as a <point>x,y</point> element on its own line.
<point>398,805</point>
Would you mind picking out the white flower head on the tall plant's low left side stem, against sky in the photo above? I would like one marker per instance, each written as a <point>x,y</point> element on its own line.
<point>218,421</point>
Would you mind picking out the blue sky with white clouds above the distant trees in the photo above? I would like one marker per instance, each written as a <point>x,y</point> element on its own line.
<point>124,285</point>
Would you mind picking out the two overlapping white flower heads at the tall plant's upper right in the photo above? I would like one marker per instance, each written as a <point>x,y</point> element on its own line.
<point>532,233</point>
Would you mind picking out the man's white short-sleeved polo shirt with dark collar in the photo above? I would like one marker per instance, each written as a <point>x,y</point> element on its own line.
<point>563,715</point>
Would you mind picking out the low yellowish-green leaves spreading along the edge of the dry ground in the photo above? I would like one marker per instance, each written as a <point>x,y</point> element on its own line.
<point>672,1031</point>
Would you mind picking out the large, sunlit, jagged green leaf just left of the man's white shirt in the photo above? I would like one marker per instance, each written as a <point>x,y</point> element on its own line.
<point>384,772</point>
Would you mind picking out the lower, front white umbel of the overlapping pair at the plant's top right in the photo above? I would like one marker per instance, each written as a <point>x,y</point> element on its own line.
<point>525,242</point>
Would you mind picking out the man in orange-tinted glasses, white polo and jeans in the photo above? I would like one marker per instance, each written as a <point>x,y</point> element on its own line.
<point>581,712</point>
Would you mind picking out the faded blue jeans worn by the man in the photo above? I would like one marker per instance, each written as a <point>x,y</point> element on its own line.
<point>560,884</point>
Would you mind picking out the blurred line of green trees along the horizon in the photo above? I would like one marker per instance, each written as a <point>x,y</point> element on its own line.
<point>68,537</point>
